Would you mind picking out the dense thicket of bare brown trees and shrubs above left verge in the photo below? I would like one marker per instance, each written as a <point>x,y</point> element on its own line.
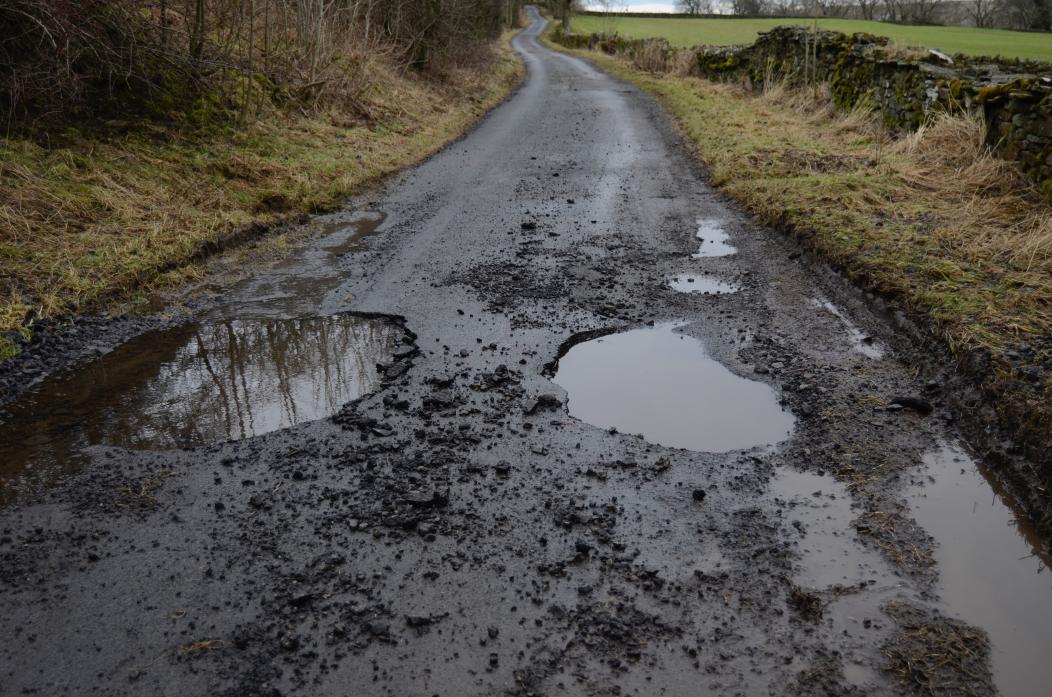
<point>154,58</point>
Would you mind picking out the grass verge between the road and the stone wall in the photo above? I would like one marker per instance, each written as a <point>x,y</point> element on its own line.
<point>934,222</point>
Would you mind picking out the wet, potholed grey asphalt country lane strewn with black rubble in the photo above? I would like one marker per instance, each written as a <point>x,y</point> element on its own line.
<point>620,441</point>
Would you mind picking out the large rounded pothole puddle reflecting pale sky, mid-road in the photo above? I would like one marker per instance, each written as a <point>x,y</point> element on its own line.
<point>663,385</point>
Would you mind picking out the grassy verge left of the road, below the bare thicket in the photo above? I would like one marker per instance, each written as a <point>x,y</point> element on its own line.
<point>99,217</point>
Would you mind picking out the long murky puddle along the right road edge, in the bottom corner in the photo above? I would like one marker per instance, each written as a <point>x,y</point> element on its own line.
<point>992,575</point>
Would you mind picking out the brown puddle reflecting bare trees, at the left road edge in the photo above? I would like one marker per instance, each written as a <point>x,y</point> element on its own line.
<point>195,384</point>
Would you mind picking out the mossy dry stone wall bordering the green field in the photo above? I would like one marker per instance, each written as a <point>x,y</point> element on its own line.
<point>906,88</point>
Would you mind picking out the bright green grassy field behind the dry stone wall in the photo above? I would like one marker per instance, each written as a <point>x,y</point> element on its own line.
<point>732,31</point>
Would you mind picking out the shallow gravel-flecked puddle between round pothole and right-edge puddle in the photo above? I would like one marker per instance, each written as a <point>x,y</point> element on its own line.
<point>819,511</point>
